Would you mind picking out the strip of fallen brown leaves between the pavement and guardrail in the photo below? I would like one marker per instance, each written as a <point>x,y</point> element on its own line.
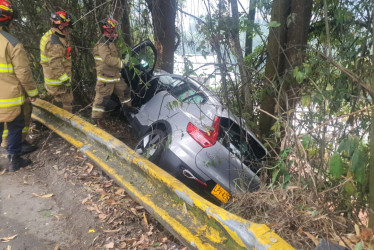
<point>126,223</point>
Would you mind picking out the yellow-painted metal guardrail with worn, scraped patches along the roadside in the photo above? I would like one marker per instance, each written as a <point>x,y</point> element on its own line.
<point>197,223</point>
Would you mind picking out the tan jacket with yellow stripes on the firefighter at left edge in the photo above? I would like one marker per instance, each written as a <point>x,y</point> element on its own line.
<point>16,80</point>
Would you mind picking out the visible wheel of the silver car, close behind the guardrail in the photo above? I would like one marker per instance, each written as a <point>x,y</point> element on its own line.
<point>152,145</point>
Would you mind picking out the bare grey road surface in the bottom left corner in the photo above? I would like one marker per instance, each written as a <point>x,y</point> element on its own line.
<point>40,222</point>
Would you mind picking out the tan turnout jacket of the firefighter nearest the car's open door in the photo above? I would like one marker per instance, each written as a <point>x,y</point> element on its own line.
<point>108,61</point>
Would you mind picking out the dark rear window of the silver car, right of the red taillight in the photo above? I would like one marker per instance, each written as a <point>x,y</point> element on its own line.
<point>240,143</point>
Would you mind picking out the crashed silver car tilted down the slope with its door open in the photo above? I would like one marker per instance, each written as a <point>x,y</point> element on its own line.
<point>184,129</point>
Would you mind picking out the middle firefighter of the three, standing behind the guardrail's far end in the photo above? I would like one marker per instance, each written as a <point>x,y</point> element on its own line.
<point>55,59</point>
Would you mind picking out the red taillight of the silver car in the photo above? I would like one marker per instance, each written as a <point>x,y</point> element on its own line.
<point>205,139</point>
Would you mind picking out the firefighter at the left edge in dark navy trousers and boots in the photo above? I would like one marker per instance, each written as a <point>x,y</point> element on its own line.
<point>16,84</point>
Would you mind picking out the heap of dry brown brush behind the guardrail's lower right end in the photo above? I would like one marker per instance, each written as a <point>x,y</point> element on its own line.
<point>300,217</point>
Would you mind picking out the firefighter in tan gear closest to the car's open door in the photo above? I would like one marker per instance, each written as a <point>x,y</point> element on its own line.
<point>108,66</point>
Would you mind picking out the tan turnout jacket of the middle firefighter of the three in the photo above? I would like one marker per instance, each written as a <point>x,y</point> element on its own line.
<point>55,58</point>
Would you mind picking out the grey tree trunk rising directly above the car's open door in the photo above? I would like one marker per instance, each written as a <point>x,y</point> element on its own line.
<point>163,17</point>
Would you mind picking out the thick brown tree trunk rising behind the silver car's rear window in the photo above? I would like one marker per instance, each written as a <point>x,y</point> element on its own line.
<point>285,47</point>
